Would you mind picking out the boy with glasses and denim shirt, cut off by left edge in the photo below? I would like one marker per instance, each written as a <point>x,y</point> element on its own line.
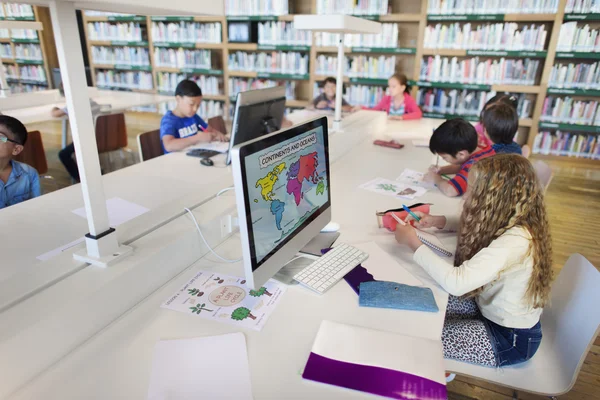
<point>18,181</point>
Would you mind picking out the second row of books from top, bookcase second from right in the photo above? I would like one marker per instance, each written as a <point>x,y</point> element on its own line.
<point>497,36</point>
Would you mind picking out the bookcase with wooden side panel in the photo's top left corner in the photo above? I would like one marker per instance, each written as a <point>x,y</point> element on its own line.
<point>27,55</point>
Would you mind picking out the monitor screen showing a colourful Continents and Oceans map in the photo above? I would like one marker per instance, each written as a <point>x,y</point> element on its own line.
<point>286,183</point>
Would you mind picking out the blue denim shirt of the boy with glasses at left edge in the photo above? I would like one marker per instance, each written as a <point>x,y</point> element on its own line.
<point>23,184</point>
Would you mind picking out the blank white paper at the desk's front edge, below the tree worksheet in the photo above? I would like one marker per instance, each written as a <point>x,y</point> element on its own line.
<point>214,367</point>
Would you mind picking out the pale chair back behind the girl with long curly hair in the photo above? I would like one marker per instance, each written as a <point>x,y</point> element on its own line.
<point>573,315</point>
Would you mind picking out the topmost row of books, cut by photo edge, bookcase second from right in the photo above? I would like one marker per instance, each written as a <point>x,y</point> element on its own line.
<point>460,7</point>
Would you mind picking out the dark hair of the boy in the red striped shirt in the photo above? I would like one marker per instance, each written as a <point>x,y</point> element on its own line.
<point>453,136</point>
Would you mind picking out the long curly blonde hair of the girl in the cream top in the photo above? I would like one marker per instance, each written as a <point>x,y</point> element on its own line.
<point>504,192</point>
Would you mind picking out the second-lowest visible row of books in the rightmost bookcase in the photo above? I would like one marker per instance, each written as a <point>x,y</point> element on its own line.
<point>566,110</point>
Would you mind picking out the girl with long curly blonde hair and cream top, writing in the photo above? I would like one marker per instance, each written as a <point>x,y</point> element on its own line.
<point>500,279</point>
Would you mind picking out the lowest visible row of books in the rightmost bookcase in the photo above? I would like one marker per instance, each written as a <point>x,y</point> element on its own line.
<point>567,144</point>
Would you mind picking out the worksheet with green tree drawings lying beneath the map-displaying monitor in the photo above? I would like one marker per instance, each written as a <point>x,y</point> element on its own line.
<point>226,298</point>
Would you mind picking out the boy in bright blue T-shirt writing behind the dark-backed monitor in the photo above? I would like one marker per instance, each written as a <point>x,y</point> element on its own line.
<point>182,127</point>
